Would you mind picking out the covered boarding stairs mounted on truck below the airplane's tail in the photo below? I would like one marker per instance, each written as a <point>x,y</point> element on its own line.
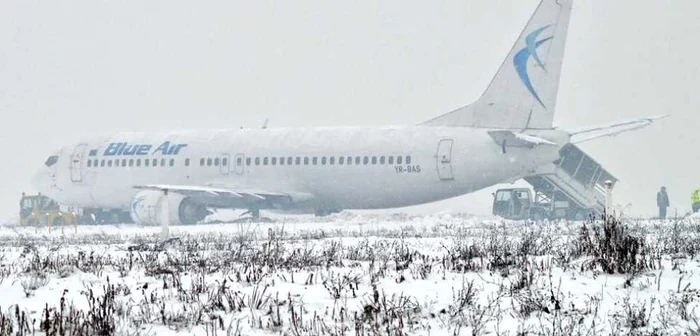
<point>574,185</point>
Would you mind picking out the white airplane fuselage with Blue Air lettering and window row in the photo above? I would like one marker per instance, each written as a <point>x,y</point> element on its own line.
<point>444,162</point>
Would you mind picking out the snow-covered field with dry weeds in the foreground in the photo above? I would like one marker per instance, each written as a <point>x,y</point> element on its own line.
<point>354,275</point>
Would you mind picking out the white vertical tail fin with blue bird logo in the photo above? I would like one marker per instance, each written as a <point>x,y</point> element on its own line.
<point>523,93</point>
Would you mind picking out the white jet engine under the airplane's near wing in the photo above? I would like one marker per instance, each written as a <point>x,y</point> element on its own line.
<point>147,209</point>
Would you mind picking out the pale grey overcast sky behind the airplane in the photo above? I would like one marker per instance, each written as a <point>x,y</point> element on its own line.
<point>71,69</point>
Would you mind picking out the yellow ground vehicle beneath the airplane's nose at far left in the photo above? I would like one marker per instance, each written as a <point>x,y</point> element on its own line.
<point>41,210</point>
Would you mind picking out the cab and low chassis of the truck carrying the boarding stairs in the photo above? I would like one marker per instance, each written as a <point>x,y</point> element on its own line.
<point>520,203</point>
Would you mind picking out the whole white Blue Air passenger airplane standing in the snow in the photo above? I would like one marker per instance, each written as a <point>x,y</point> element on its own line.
<point>176,177</point>
